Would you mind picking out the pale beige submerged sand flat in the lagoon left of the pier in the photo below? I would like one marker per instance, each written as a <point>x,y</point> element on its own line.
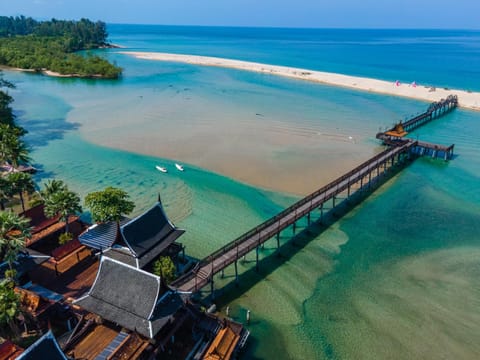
<point>264,152</point>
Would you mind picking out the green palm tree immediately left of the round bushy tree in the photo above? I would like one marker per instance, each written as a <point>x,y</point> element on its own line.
<point>59,200</point>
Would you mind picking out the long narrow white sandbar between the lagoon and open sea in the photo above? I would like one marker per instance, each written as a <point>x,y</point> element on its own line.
<point>467,99</point>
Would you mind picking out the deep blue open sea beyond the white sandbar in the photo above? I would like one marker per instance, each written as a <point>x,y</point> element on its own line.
<point>434,57</point>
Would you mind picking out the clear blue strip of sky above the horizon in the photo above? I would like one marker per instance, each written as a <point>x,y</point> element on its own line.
<point>435,14</point>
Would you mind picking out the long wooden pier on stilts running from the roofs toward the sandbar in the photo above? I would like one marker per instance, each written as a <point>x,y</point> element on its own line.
<point>400,151</point>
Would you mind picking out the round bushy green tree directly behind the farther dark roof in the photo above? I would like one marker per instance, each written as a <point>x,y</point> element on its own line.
<point>109,204</point>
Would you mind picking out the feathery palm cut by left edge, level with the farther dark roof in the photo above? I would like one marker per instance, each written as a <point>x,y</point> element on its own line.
<point>14,231</point>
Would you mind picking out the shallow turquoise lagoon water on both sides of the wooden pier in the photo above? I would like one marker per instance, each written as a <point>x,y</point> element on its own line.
<point>397,277</point>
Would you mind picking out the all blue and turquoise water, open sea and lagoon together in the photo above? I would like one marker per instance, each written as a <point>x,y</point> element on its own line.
<point>395,277</point>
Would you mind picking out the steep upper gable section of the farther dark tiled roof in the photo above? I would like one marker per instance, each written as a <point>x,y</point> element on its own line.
<point>151,230</point>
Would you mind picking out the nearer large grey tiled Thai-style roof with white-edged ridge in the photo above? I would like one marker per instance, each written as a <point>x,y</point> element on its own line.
<point>130,297</point>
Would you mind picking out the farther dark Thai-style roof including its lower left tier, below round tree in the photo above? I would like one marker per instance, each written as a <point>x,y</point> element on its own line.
<point>144,237</point>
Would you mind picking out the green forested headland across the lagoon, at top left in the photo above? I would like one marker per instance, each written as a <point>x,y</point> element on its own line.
<point>52,45</point>
